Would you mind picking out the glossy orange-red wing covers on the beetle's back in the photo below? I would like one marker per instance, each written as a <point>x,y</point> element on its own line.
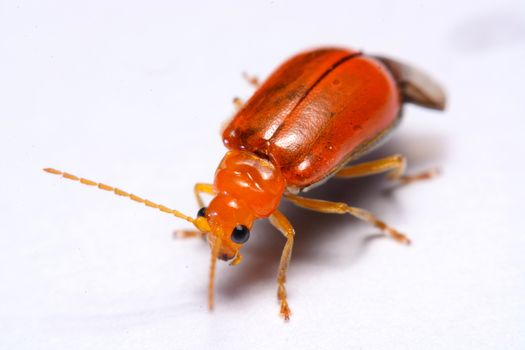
<point>315,112</point>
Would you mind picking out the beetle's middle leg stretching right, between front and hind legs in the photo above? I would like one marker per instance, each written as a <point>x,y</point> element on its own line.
<point>342,208</point>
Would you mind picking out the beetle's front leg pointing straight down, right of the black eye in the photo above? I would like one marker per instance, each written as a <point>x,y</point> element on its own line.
<point>280,222</point>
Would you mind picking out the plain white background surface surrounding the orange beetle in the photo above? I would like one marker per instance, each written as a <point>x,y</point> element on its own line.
<point>134,95</point>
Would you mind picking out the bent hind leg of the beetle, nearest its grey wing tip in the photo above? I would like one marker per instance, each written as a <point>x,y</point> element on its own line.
<point>395,166</point>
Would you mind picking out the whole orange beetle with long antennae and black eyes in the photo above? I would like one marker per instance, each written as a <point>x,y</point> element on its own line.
<point>310,120</point>
